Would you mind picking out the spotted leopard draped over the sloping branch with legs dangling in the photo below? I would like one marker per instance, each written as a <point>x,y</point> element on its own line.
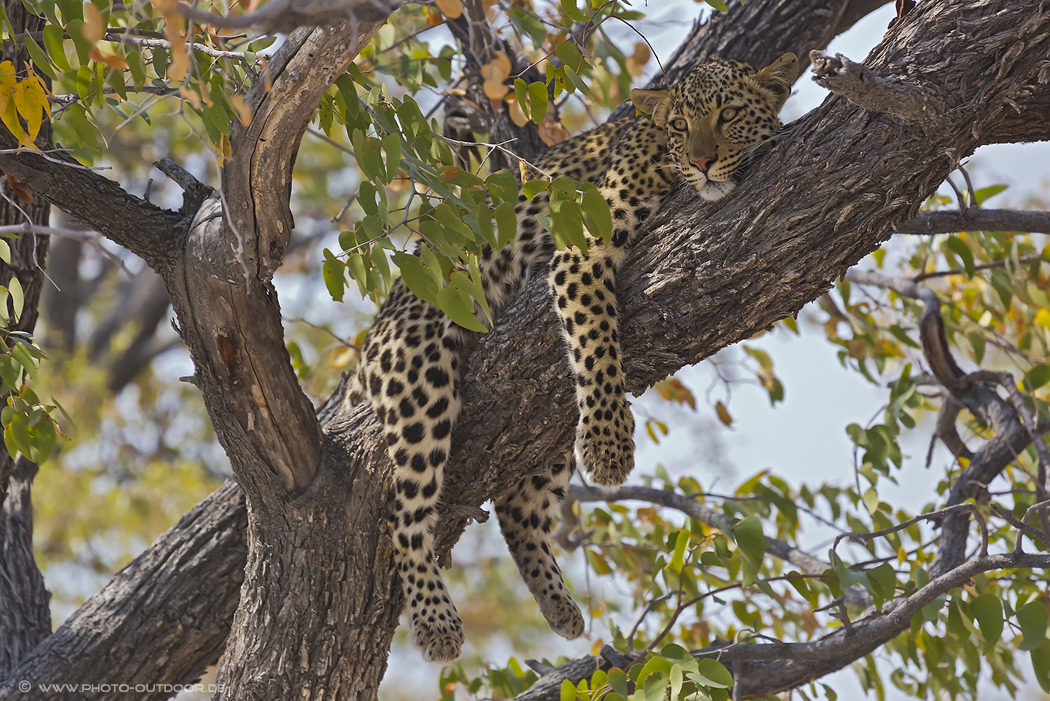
<point>698,136</point>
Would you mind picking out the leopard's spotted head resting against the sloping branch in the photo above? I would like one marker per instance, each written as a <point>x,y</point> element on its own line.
<point>716,116</point>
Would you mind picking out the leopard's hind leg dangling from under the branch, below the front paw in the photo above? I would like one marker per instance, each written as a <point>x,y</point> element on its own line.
<point>527,514</point>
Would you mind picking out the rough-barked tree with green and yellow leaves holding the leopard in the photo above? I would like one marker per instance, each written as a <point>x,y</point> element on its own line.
<point>317,559</point>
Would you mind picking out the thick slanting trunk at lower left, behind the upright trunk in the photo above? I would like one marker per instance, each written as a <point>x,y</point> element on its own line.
<point>164,619</point>
